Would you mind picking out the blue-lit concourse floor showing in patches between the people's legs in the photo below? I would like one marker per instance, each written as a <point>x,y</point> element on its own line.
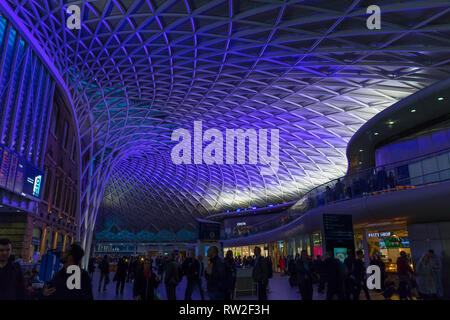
<point>279,290</point>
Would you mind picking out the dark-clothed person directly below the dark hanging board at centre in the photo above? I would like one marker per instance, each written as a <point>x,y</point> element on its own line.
<point>215,275</point>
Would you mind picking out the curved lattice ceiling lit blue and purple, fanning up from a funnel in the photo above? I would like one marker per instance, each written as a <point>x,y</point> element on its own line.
<point>140,69</point>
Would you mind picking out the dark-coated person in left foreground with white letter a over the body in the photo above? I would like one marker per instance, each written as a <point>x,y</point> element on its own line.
<point>57,288</point>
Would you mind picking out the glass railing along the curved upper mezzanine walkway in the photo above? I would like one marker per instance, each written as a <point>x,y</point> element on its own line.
<point>402,175</point>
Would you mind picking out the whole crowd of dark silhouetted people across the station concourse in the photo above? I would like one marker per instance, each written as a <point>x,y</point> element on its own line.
<point>341,280</point>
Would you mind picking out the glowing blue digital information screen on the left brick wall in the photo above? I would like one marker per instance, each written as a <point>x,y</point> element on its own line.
<point>18,175</point>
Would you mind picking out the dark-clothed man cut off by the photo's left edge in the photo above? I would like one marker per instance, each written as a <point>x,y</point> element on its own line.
<point>12,284</point>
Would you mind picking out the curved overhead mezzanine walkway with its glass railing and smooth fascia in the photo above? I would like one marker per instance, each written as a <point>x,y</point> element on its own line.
<point>367,196</point>
